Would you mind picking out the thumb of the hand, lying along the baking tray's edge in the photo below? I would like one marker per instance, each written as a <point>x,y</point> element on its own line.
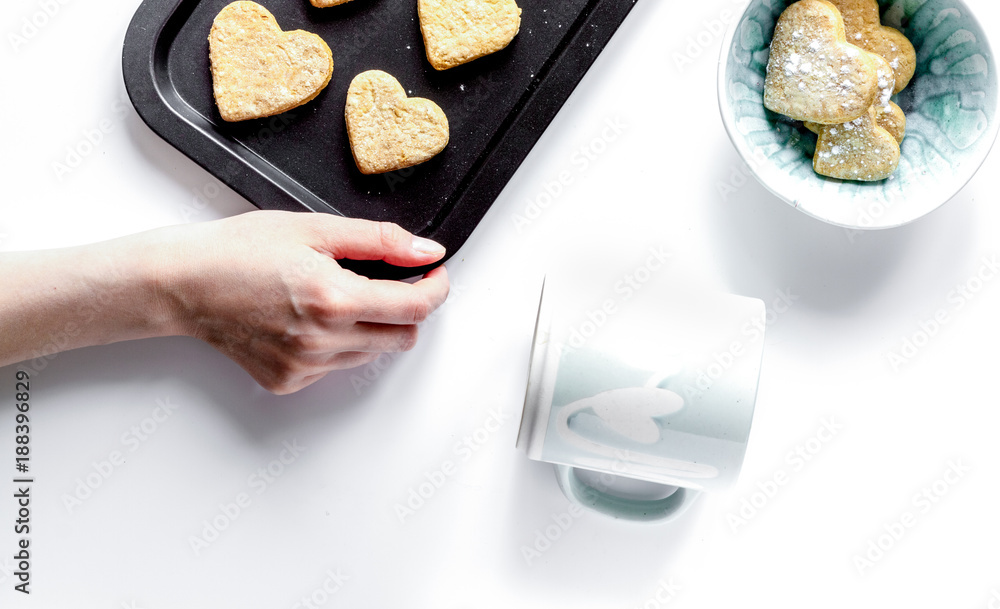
<point>366,240</point>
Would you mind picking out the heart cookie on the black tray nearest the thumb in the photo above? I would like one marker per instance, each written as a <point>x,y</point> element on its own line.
<point>387,129</point>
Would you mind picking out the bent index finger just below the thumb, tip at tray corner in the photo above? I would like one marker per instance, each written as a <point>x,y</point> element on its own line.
<point>395,302</point>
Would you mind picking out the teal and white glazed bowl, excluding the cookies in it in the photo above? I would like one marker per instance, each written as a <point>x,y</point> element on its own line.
<point>950,106</point>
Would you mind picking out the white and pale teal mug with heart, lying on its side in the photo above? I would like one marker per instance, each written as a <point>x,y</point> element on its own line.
<point>659,387</point>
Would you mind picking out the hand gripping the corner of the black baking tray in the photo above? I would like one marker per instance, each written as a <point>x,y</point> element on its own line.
<point>265,289</point>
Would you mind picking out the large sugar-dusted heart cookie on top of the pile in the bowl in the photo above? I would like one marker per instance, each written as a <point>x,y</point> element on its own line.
<point>813,73</point>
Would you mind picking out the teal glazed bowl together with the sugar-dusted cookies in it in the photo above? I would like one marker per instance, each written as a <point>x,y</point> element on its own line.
<point>948,91</point>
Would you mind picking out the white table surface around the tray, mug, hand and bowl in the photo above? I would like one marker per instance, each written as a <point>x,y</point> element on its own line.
<point>330,519</point>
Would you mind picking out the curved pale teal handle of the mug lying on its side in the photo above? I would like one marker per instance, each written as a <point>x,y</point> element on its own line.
<point>642,510</point>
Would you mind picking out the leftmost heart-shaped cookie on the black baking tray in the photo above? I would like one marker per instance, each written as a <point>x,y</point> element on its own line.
<point>259,70</point>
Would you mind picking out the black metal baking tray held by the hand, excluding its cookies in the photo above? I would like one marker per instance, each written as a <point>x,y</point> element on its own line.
<point>497,108</point>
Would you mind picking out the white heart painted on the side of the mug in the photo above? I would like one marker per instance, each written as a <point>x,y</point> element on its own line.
<point>630,411</point>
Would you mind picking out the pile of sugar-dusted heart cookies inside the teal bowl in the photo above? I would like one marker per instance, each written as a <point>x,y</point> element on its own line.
<point>835,67</point>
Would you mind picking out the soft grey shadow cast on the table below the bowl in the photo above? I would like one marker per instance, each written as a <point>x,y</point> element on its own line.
<point>765,245</point>
